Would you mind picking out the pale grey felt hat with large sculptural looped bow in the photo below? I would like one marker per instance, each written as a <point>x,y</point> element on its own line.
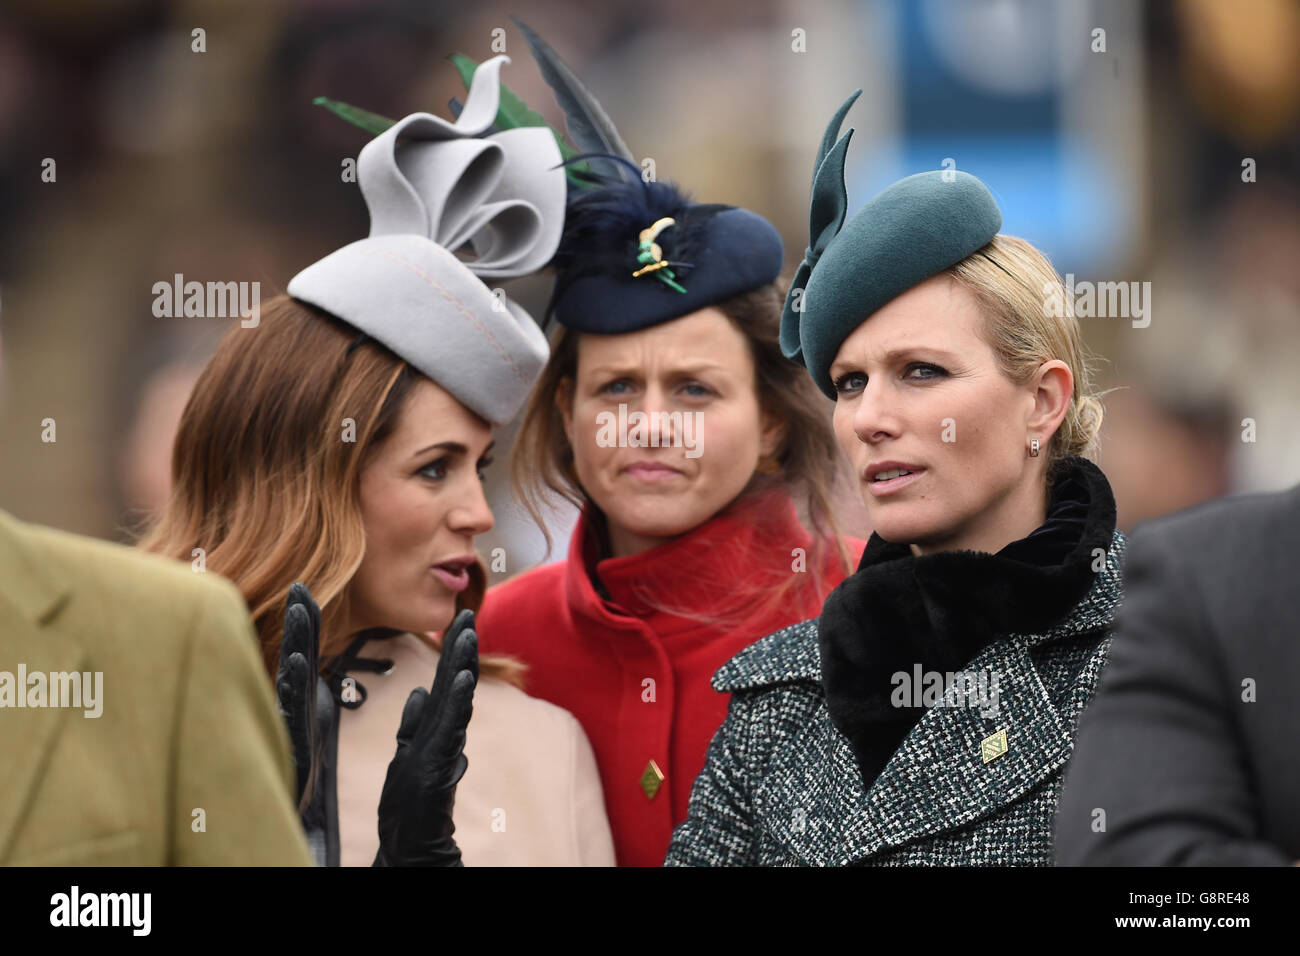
<point>434,188</point>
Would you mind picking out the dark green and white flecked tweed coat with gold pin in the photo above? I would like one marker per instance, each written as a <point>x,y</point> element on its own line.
<point>782,786</point>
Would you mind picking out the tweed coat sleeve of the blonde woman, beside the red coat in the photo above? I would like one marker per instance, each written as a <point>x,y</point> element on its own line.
<point>720,827</point>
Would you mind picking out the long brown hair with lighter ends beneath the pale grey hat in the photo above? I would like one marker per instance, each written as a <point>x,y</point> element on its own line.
<point>268,460</point>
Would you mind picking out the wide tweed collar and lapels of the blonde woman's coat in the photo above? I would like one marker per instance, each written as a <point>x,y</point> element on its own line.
<point>811,797</point>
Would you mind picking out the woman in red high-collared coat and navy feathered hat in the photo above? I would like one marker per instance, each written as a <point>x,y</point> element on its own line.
<point>669,416</point>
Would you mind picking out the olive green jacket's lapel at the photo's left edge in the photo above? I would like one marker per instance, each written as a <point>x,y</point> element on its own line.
<point>32,596</point>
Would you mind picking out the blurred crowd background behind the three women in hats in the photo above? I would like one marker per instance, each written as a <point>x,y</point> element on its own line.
<point>1132,142</point>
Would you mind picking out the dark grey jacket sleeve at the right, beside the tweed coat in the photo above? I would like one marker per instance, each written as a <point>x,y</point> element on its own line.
<point>1159,775</point>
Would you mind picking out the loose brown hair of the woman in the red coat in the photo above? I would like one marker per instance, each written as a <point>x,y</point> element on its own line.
<point>808,460</point>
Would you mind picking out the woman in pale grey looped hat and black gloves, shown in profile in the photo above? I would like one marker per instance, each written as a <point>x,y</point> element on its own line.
<point>340,443</point>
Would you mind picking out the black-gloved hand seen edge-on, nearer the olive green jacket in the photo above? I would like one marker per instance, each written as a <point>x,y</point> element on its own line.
<point>304,697</point>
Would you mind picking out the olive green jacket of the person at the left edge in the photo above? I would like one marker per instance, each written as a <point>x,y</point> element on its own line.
<point>187,762</point>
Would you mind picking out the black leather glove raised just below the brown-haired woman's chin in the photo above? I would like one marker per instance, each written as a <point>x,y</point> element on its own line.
<point>421,788</point>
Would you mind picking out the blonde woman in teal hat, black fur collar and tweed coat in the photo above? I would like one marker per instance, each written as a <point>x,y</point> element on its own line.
<point>928,715</point>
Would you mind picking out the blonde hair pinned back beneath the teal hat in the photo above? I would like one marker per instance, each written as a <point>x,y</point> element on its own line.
<point>1013,282</point>
